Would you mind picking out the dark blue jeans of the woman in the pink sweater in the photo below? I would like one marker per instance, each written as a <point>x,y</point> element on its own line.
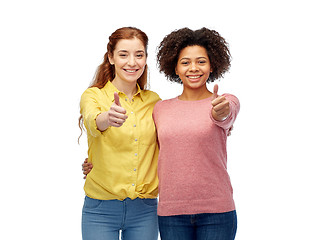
<point>206,226</point>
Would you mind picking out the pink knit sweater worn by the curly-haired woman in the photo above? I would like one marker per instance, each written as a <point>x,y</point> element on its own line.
<point>192,165</point>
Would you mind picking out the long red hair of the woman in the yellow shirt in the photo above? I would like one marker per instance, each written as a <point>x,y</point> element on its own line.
<point>106,71</point>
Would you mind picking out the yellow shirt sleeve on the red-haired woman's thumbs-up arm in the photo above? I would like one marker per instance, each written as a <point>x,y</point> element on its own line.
<point>90,109</point>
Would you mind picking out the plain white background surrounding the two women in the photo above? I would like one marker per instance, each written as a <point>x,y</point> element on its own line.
<point>49,52</point>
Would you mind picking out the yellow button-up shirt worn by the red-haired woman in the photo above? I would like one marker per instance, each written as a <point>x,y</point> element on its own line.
<point>124,159</point>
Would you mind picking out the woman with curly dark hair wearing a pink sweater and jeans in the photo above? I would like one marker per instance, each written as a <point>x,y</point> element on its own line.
<point>195,193</point>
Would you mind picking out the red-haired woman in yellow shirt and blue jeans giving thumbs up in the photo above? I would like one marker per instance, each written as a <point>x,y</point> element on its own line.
<point>122,187</point>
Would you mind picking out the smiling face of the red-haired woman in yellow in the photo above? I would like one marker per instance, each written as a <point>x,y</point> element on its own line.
<point>129,60</point>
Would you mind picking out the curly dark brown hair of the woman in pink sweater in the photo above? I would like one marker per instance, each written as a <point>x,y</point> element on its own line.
<point>215,45</point>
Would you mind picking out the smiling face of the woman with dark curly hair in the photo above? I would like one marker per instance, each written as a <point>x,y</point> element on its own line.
<point>193,67</point>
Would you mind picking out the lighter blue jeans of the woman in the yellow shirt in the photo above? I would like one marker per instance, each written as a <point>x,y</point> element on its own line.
<point>105,219</point>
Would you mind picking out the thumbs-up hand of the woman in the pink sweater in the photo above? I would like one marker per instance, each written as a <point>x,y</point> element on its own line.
<point>220,106</point>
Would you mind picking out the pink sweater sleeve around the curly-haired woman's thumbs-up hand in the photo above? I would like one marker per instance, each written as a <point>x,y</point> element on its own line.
<point>234,110</point>
